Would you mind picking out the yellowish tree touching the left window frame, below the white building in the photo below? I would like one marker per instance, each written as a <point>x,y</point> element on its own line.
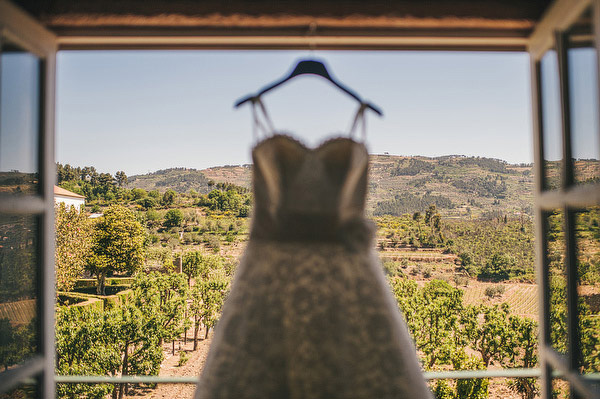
<point>72,245</point>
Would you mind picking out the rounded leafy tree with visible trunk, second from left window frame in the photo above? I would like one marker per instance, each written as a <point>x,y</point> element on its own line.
<point>117,245</point>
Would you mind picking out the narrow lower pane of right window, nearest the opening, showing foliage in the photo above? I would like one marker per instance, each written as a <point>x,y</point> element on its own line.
<point>558,282</point>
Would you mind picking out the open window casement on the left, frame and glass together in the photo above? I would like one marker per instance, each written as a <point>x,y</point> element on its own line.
<point>26,201</point>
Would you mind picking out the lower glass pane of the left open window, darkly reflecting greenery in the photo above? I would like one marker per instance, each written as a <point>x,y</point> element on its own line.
<point>18,292</point>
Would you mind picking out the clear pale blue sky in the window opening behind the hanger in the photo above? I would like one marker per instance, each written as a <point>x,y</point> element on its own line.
<point>148,110</point>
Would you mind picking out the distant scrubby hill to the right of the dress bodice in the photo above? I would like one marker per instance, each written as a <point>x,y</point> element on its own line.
<point>458,185</point>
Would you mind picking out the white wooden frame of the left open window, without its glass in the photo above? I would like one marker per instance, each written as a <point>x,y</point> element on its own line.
<point>20,29</point>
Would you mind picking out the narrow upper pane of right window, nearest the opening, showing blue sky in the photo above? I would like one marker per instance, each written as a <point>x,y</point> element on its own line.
<point>551,120</point>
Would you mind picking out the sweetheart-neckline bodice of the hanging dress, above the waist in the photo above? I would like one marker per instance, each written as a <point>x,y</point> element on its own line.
<point>308,194</point>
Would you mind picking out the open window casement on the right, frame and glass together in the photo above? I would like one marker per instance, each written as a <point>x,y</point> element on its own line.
<point>567,157</point>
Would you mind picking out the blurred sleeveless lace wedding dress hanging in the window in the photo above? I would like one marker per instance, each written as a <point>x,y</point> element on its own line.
<point>310,314</point>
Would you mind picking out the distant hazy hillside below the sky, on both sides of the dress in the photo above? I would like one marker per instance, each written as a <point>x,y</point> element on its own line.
<point>458,185</point>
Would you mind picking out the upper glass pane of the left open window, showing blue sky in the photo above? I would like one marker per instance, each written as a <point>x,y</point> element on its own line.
<point>19,120</point>
